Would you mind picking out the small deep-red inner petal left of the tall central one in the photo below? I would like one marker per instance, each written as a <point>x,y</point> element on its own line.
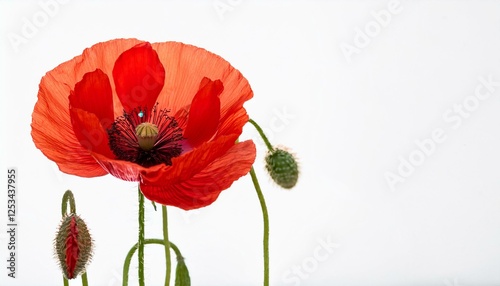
<point>93,94</point>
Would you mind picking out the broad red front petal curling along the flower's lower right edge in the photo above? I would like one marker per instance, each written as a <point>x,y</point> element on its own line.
<point>204,187</point>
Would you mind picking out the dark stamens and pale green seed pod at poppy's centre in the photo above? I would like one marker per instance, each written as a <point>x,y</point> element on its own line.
<point>146,138</point>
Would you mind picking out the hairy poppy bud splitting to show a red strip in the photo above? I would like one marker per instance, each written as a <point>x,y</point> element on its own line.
<point>73,246</point>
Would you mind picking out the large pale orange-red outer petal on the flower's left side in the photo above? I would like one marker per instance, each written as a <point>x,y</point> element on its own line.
<point>52,131</point>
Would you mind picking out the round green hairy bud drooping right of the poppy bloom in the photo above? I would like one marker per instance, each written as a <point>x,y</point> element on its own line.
<point>283,167</point>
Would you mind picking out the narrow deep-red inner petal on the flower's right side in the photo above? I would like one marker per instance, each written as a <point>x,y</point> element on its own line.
<point>204,112</point>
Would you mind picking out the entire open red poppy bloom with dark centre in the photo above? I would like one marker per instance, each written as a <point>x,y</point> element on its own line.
<point>165,114</point>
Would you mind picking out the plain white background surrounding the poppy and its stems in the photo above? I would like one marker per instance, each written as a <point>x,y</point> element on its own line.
<point>350,119</point>
